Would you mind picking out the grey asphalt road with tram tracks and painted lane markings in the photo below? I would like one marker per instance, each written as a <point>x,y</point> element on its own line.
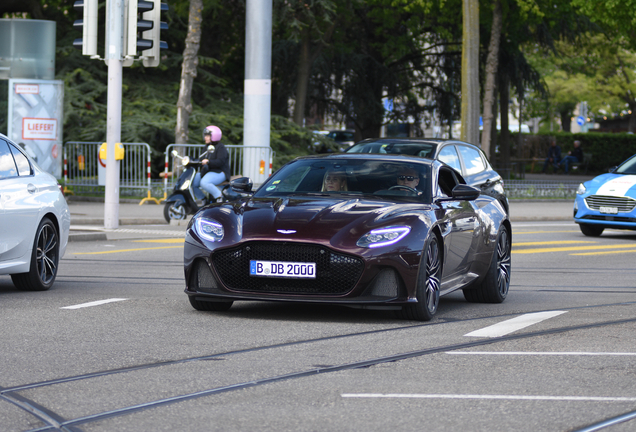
<point>115,346</point>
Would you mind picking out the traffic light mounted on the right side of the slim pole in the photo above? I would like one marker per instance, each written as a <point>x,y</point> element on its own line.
<point>143,29</point>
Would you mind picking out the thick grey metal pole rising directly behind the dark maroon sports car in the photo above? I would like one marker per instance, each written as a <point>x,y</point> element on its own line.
<point>258,89</point>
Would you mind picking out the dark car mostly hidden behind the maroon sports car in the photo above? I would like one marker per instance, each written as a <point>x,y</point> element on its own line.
<point>467,159</point>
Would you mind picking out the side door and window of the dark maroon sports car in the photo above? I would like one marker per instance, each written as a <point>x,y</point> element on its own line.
<point>458,224</point>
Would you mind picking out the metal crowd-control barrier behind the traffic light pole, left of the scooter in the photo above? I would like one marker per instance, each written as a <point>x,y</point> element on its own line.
<point>85,171</point>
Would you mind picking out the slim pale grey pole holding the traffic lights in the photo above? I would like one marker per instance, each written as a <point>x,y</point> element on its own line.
<point>114,59</point>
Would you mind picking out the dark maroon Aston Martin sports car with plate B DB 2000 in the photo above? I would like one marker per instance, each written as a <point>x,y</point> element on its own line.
<point>371,231</point>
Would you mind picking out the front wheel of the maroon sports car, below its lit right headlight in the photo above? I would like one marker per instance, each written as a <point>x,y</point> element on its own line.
<point>428,285</point>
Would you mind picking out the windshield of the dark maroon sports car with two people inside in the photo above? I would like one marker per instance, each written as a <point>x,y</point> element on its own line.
<point>402,180</point>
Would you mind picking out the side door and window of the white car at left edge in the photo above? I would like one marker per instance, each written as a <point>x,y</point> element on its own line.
<point>18,211</point>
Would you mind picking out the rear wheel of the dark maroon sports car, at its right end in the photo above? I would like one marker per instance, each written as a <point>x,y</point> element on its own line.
<point>495,285</point>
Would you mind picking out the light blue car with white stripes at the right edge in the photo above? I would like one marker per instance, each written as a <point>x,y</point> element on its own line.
<point>608,201</point>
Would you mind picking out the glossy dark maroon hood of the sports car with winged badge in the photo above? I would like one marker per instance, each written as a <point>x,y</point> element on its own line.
<point>320,219</point>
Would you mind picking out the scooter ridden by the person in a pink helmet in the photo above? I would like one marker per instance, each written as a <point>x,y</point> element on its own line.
<point>185,198</point>
